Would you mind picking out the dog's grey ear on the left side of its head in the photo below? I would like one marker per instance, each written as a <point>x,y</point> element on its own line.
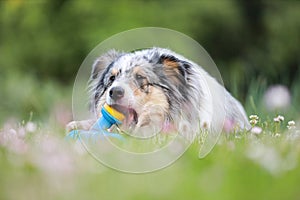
<point>103,62</point>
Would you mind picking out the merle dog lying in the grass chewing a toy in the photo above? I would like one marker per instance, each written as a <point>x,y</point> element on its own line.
<point>159,90</point>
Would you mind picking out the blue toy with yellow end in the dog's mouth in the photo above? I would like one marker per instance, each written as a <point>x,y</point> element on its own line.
<point>109,117</point>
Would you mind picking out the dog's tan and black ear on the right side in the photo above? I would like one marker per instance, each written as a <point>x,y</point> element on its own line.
<point>174,68</point>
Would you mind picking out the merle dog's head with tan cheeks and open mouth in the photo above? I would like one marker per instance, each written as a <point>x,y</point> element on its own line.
<point>150,87</point>
